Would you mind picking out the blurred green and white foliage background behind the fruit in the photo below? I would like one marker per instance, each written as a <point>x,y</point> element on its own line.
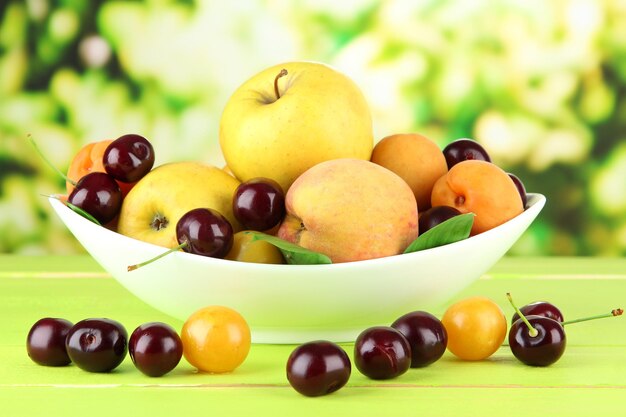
<point>541,84</point>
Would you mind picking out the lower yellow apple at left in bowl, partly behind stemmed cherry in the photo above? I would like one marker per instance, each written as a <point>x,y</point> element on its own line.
<point>152,208</point>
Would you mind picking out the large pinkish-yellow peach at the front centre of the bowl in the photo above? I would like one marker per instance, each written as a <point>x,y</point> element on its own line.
<point>350,210</point>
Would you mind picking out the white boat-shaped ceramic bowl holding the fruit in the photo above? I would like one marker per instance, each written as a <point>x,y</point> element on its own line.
<point>299,303</point>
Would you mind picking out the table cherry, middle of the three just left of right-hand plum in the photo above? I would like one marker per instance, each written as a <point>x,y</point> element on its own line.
<point>382,352</point>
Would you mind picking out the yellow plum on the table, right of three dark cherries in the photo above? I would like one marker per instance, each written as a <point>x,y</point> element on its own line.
<point>216,339</point>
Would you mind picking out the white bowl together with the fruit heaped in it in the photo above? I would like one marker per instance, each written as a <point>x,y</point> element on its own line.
<point>352,217</point>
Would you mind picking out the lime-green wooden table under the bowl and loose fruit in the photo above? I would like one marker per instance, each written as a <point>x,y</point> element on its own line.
<point>590,379</point>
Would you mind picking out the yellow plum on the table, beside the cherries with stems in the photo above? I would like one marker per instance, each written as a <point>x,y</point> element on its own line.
<point>476,328</point>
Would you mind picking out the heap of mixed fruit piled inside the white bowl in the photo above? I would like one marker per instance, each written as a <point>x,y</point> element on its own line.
<point>301,167</point>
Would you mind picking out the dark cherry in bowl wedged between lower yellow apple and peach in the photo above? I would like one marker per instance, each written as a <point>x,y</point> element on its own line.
<point>259,204</point>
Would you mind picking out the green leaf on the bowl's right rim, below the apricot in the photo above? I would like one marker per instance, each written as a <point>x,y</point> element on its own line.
<point>452,230</point>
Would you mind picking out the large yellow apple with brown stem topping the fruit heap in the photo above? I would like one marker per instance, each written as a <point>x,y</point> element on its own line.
<point>277,125</point>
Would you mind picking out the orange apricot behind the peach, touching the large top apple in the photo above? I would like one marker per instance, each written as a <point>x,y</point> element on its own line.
<point>414,158</point>
